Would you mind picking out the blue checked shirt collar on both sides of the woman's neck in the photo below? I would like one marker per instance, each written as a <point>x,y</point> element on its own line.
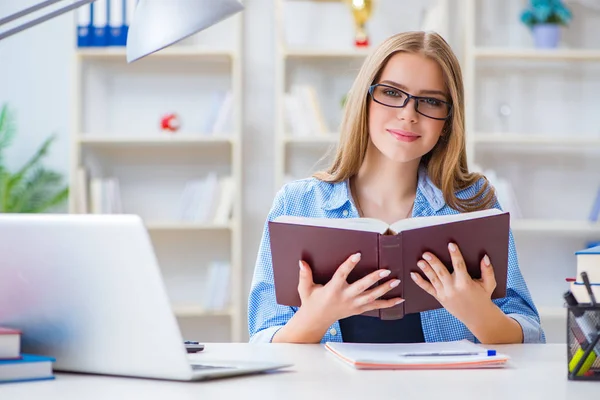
<point>340,193</point>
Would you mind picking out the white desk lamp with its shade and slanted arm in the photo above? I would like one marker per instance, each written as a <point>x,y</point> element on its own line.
<point>156,24</point>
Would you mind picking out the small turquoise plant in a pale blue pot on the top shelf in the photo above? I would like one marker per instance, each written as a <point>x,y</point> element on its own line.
<point>544,18</point>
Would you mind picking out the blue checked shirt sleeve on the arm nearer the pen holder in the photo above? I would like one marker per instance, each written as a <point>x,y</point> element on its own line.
<point>518,303</point>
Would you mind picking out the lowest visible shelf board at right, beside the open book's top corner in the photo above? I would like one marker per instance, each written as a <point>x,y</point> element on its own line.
<point>558,227</point>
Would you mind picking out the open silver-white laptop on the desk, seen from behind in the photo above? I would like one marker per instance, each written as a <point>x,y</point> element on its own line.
<point>87,290</point>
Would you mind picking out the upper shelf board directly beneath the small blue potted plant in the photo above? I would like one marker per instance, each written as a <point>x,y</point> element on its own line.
<point>537,54</point>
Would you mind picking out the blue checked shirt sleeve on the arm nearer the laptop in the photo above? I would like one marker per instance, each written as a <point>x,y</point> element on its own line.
<point>265,316</point>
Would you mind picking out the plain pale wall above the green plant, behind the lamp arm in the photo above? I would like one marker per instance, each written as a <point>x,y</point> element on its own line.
<point>35,72</point>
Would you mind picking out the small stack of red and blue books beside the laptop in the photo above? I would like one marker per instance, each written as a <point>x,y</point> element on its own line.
<point>18,367</point>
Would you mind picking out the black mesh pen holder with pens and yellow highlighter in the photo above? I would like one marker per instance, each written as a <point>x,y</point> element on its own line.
<point>583,342</point>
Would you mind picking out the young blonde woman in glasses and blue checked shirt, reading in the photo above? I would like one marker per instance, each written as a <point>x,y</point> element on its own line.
<point>401,154</point>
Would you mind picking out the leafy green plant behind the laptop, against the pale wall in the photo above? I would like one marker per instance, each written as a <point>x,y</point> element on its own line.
<point>32,188</point>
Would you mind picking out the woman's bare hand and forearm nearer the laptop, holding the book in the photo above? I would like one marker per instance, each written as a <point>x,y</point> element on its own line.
<point>322,305</point>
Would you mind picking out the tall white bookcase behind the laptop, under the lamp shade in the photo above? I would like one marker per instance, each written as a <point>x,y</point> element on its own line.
<point>117,108</point>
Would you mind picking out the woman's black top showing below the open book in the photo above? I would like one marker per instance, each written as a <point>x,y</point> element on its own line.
<point>363,329</point>
